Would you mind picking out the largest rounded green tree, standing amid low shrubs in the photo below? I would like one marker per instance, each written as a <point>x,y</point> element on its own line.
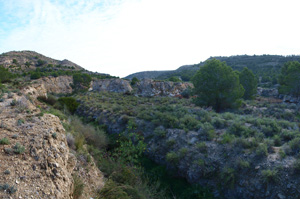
<point>217,85</point>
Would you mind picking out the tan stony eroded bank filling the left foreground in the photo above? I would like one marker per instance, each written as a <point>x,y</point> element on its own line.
<point>35,160</point>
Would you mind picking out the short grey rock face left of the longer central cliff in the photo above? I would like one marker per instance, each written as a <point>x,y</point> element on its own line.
<point>112,85</point>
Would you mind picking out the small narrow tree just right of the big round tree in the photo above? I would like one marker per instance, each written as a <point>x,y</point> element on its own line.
<point>249,82</point>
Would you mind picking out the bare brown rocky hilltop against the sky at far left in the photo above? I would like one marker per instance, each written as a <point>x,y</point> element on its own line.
<point>29,60</point>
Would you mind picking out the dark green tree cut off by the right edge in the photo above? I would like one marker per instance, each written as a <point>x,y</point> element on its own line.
<point>289,79</point>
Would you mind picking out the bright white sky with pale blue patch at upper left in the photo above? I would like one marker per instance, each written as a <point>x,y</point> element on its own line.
<point>120,37</point>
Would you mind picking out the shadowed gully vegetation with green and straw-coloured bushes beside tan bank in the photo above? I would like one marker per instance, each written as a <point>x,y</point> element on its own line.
<point>121,159</point>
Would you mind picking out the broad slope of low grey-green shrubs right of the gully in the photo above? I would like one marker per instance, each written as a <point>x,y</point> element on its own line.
<point>248,136</point>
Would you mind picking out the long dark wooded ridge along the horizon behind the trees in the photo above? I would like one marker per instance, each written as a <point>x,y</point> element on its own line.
<point>259,64</point>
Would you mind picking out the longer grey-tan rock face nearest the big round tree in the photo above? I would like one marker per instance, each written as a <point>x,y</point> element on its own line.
<point>148,87</point>
